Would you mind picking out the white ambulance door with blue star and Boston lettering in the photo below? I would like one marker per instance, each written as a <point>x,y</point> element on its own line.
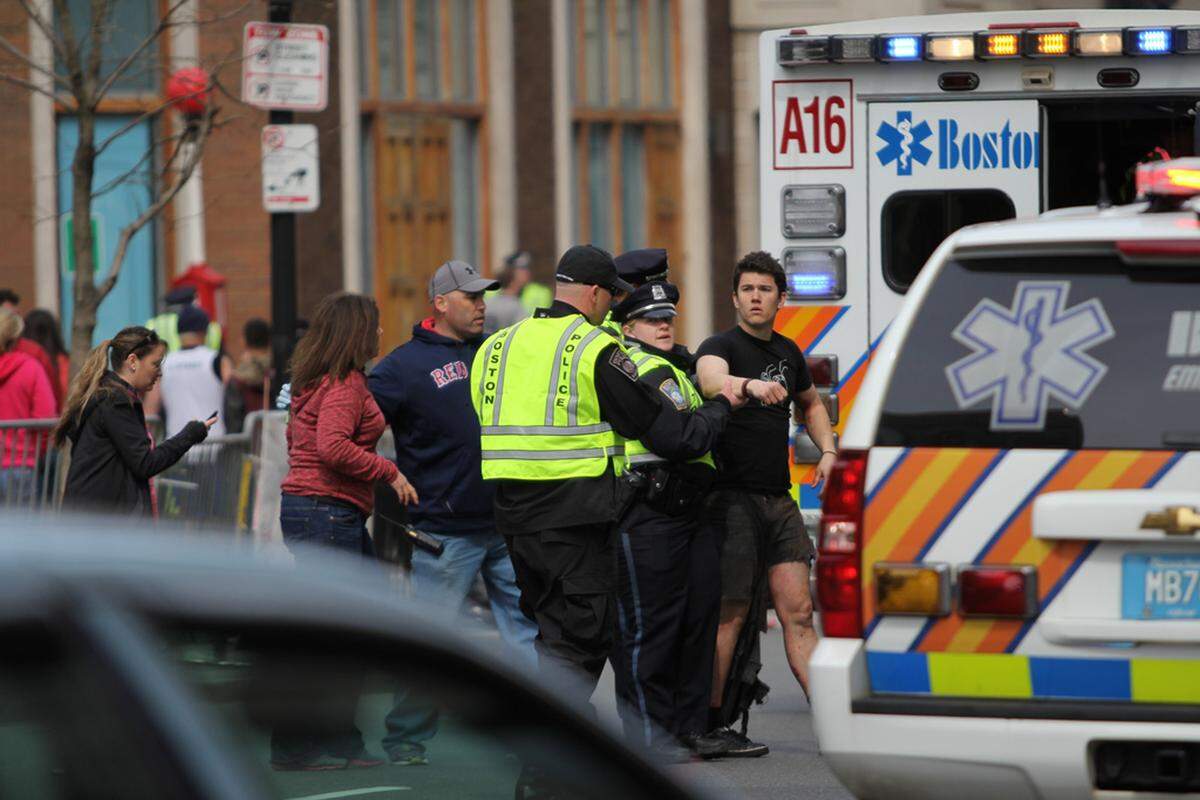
<point>935,167</point>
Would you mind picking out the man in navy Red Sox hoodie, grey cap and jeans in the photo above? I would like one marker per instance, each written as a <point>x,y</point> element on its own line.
<point>424,393</point>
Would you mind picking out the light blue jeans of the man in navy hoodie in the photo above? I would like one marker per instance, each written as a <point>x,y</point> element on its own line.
<point>449,580</point>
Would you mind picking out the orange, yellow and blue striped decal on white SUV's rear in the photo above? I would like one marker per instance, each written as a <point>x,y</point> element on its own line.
<point>915,502</point>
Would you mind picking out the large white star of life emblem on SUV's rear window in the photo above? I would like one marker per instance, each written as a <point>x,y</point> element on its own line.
<point>1028,354</point>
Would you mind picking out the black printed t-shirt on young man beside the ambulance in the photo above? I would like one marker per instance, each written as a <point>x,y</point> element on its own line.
<point>753,453</point>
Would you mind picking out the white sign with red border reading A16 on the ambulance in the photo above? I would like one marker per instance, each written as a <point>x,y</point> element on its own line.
<point>814,124</point>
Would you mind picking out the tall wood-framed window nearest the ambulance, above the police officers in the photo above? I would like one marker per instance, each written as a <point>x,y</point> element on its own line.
<point>627,123</point>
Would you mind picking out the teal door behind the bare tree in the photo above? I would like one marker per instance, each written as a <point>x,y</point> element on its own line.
<point>123,190</point>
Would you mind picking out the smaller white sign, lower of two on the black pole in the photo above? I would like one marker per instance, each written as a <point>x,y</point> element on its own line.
<point>291,177</point>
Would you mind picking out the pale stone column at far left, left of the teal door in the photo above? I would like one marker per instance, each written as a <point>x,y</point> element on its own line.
<point>44,169</point>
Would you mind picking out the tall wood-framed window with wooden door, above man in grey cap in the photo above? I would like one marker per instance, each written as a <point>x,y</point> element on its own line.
<point>423,118</point>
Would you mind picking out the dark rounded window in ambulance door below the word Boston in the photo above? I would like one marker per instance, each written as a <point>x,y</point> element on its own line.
<point>915,224</point>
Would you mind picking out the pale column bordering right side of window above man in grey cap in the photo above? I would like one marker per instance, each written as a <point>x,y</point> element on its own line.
<point>502,153</point>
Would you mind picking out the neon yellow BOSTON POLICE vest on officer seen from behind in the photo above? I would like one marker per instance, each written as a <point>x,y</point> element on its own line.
<point>533,388</point>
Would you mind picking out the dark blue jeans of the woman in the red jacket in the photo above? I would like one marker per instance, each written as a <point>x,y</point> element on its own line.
<point>310,526</point>
